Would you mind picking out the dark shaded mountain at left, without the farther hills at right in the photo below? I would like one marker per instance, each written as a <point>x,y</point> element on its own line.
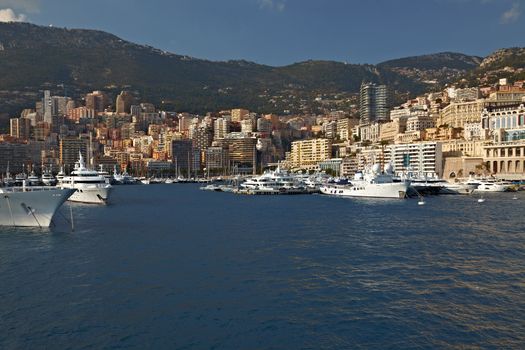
<point>33,58</point>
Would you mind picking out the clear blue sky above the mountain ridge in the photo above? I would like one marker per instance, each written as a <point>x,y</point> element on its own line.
<point>280,32</point>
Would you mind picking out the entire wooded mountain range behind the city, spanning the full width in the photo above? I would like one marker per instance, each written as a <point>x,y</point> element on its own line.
<point>75,61</point>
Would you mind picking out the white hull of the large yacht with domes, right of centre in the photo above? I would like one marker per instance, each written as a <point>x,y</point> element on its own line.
<point>383,190</point>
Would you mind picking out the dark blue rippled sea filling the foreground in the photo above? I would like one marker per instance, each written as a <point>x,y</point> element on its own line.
<point>172,267</point>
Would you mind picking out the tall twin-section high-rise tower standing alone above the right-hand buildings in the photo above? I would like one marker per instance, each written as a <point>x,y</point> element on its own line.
<point>373,103</point>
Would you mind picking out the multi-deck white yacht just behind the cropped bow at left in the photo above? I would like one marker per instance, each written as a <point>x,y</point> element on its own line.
<point>90,186</point>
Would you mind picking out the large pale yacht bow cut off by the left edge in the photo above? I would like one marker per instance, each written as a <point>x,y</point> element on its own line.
<point>31,205</point>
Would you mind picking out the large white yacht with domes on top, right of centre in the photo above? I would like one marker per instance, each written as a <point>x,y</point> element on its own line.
<point>371,183</point>
